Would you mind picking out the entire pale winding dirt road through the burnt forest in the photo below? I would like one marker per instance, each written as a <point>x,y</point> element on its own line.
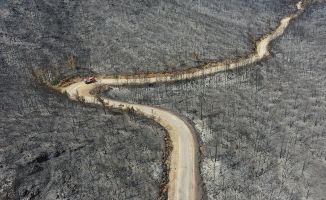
<point>184,180</point>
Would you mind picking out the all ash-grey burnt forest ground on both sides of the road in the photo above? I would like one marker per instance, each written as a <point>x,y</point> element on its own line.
<point>55,148</point>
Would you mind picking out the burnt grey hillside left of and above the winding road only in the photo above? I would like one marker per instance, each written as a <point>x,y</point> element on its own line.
<point>47,40</point>
